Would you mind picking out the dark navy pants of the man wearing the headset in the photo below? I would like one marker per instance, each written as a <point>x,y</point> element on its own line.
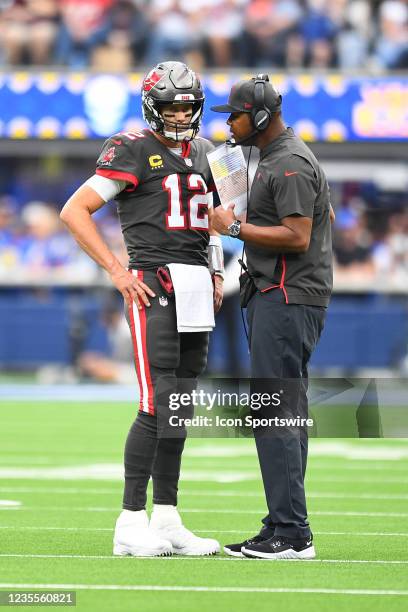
<point>282,339</point>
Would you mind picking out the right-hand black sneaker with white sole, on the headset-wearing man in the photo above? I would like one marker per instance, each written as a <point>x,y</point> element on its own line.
<point>280,547</point>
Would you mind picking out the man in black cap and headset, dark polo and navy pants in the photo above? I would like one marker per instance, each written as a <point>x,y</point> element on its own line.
<point>286,289</point>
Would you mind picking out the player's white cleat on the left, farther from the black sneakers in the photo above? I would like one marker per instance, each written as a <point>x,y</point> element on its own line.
<point>134,537</point>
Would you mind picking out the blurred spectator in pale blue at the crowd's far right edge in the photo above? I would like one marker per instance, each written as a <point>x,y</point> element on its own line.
<point>391,48</point>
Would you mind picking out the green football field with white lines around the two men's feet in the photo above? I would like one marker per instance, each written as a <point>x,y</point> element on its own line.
<point>60,493</point>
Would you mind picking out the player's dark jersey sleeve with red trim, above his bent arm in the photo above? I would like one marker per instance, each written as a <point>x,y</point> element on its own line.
<point>118,161</point>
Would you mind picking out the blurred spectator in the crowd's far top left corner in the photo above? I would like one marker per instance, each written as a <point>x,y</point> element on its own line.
<point>28,29</point>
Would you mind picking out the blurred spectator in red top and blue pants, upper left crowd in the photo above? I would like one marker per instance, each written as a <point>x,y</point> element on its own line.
<point>85,25</point>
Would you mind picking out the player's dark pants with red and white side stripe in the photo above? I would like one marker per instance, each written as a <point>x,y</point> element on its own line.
<point>166,362</point>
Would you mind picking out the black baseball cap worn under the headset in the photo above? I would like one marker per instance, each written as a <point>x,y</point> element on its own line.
<point>242,98</point>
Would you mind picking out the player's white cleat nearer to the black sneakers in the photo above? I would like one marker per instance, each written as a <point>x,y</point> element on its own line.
<point>166,523</point>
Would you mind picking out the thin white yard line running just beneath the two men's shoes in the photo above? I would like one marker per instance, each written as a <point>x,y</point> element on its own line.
<point>209,559</point>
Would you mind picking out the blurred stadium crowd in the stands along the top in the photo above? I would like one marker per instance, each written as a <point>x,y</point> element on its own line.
<point>290,34</point>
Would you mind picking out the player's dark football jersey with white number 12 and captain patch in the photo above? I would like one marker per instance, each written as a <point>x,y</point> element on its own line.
<point>163,211</point>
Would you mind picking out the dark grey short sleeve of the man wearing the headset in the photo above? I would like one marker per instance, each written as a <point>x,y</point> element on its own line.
<point>294,187</point>
